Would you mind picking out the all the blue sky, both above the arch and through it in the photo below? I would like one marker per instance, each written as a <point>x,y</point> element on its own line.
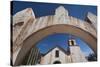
<point>43,9</point>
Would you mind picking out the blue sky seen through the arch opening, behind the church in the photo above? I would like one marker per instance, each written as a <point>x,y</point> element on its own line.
<point>61,39</point>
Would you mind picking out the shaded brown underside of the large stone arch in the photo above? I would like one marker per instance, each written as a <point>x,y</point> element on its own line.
<point>59,28</point>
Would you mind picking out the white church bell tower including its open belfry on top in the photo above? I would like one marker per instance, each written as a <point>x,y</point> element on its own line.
<point>75,51</point>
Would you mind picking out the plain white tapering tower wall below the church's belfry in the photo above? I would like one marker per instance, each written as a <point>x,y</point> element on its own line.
<point>76,54</point>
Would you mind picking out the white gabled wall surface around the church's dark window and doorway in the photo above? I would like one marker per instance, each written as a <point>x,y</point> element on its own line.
<point>50,58</point>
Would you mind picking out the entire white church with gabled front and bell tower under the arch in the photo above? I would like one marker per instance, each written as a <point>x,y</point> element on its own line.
<point>58,55</point>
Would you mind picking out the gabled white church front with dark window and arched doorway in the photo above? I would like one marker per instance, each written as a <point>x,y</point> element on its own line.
<point>56,55</point>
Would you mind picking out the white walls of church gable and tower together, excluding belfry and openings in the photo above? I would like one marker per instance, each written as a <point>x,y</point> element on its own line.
<point>76,55</point>
